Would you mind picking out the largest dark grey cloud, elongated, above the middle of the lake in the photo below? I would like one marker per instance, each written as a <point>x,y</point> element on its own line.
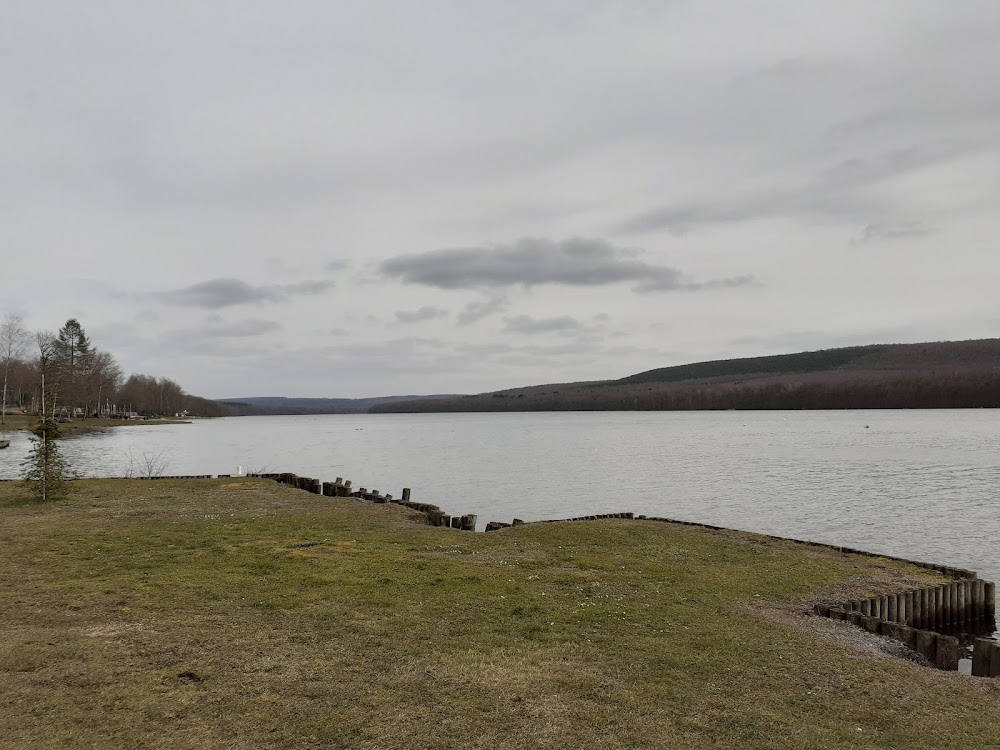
<point>533,260</point>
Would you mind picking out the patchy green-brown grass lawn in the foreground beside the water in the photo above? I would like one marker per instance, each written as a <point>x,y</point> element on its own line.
<point>244,614</point>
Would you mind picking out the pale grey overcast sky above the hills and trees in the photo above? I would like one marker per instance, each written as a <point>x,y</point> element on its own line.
<point>371,198</point>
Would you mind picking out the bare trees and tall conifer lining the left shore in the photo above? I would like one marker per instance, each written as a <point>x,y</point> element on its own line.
<point>82,381</point>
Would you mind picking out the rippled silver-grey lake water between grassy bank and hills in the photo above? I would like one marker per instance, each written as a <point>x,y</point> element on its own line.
<point>917,484</point>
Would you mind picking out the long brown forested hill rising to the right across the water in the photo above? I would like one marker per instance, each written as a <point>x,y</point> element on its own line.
<point>949,374</point>
